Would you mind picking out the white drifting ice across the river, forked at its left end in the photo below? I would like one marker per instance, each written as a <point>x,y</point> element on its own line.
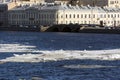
<point>55,55</point>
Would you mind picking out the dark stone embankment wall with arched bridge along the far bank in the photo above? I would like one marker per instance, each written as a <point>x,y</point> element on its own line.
<point>64,28</point>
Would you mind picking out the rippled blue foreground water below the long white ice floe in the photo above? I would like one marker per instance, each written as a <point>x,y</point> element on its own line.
<point>56,70</point>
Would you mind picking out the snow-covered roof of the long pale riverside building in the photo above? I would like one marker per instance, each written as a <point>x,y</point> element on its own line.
<point>66,7</point>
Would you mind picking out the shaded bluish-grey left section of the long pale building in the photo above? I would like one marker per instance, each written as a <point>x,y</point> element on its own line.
<point>31,16</point>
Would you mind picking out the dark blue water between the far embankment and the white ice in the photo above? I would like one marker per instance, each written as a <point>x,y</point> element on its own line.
<point>65,41</point>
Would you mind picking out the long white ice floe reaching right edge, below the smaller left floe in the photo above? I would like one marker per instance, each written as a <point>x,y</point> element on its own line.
<point>64,55</point>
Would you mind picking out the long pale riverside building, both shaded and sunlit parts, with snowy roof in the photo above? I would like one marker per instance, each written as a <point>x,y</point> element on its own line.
<point>64,14</point>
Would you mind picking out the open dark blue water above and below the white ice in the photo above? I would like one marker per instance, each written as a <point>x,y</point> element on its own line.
<point>55,70</point>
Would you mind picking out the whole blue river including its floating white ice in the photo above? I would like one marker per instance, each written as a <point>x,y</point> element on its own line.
<point>59,56</point>
